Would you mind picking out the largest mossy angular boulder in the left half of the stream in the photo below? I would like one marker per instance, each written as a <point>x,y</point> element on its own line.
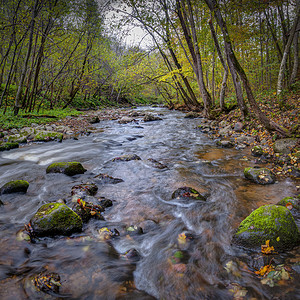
<point>55,219</point>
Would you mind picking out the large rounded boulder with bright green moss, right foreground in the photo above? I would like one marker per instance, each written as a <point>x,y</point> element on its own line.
<point>270,222</point>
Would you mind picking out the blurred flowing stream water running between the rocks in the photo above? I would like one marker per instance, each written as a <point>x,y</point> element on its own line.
<point>93,269</point>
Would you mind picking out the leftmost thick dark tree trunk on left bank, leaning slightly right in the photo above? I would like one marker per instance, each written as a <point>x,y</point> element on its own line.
<point>18,102</point>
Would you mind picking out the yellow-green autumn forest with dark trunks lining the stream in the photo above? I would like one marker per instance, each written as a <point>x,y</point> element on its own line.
<point>206,55</point>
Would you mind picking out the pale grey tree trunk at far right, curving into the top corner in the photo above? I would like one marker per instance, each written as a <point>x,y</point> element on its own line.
<point>286,51</point>
